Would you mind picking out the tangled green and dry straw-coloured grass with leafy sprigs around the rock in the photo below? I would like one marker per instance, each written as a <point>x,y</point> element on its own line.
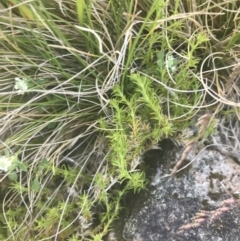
<point>86,88</point>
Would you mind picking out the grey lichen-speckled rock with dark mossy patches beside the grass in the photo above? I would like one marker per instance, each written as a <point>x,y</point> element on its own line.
<point>200,203</point>
